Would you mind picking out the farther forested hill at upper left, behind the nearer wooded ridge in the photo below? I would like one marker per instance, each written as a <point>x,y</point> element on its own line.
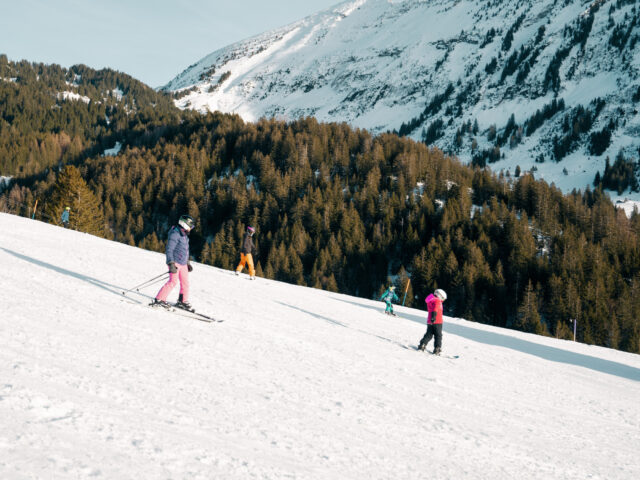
<point>51,116</point>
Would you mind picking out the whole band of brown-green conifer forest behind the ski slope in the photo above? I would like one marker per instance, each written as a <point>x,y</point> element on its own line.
<point>334,207</point>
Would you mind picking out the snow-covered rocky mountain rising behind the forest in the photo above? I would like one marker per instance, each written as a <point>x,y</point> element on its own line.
<point>465,75</point>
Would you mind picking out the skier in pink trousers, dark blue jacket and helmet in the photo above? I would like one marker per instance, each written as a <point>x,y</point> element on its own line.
<point>177,254</point>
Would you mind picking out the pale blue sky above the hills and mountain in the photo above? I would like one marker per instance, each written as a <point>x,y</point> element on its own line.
<point>151,40</point>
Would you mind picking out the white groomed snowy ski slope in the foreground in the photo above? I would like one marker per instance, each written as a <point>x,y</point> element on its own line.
<point>296,383</point>
